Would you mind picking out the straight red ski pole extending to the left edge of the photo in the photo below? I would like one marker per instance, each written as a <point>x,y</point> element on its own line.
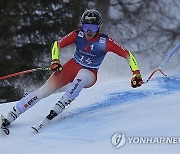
<point>24,72</point>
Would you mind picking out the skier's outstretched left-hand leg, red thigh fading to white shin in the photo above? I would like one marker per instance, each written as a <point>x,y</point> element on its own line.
<point>53,83</point>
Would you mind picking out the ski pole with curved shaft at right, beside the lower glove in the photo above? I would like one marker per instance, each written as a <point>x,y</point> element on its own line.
<point>163,63</point>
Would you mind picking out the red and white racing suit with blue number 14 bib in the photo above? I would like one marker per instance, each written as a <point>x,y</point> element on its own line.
<point>81,70</point>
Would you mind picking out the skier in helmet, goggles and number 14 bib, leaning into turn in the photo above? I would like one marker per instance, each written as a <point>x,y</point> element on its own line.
<point>80,71</point>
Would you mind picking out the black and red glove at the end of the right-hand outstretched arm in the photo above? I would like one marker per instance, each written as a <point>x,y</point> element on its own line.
<point>136,80</point>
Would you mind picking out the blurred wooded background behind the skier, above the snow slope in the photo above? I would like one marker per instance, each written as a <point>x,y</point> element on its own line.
<point>149,28</point>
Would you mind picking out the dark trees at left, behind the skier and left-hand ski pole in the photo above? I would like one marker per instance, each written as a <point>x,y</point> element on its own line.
<point>27,29</point>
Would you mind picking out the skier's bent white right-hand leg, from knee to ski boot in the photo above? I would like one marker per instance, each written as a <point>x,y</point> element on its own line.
<point>84,79</point>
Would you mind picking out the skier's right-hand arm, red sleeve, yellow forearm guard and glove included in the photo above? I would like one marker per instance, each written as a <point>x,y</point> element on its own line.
<point>113,46</point>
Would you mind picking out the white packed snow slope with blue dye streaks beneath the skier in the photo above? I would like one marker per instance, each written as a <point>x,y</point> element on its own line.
<point>86,127</point>
